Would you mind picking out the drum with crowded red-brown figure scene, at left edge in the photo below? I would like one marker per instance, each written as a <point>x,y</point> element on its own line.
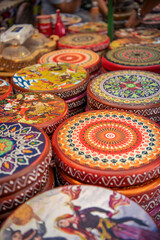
<point>45,111</point>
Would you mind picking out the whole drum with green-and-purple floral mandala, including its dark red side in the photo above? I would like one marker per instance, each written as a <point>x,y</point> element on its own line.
<point>130,90</point>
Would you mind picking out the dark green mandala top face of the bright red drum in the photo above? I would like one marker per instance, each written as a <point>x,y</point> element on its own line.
<point>134,56</point>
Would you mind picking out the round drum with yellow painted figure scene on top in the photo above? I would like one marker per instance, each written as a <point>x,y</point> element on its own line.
<point>65,80</point>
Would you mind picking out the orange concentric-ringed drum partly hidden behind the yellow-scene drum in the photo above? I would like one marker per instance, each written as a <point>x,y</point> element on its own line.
<point>85,58</point>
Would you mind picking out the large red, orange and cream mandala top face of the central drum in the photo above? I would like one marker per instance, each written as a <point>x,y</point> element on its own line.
<point>109,140</point>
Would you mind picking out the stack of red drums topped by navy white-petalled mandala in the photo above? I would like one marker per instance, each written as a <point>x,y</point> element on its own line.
<point>25,153</point>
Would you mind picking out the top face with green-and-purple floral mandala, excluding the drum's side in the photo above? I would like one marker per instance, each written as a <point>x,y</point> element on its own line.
<point>127,87</point>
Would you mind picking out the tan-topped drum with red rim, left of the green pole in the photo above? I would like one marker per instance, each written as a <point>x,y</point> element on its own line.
<point>91,41</point>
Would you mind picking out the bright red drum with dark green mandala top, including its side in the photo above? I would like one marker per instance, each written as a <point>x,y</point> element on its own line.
<point>132,58</point>
